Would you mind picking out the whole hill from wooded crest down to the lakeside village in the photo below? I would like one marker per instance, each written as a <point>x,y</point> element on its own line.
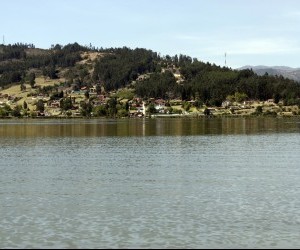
<point>76,80</point>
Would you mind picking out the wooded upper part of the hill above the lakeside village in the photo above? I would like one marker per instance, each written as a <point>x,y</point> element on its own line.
<point>146,72</point>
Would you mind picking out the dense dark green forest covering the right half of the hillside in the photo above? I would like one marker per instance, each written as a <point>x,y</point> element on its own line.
<point>212,85</point>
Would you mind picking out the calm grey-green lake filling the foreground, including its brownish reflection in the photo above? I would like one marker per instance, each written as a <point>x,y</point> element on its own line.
<point>150,183</point>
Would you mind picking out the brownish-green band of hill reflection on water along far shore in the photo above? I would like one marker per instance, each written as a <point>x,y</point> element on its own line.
<point>145,127</point>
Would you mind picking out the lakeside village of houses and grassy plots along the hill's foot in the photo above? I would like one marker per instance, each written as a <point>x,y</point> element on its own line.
<point>71,103</point>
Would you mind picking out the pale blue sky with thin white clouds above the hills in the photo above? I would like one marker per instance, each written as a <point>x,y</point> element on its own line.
<point>253,32</point>
